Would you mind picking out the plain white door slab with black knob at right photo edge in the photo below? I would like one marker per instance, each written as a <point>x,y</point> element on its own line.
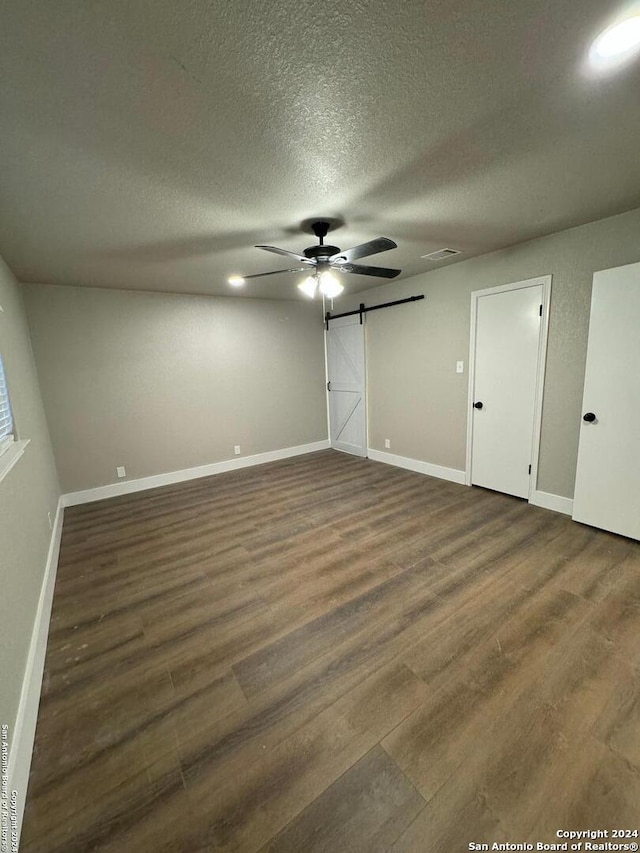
<point>607,492</point>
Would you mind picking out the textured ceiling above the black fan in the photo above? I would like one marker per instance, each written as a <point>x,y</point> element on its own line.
<point>150,144</point>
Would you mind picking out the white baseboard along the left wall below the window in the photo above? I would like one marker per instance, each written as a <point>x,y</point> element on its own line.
<point>23,735</point>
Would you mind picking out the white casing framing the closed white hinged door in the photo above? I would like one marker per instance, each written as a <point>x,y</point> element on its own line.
<point>476,295</point>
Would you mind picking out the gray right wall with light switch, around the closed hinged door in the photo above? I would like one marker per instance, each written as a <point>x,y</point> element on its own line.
<point>415,396</point>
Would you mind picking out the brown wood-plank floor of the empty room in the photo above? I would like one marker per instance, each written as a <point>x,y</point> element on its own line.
<point>331,654</point>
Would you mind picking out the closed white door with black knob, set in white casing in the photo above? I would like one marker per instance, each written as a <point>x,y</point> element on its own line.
<point>508,325</point>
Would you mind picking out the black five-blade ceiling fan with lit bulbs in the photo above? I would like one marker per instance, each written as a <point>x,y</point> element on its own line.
<point>320,260</point>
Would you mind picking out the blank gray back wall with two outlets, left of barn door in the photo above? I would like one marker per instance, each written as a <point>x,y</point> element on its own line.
<point>161,382</point>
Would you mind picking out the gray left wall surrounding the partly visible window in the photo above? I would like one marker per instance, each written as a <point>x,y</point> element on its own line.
<point>28,492</point>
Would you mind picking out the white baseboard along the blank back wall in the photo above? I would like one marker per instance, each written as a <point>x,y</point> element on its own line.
<point>128,486</point>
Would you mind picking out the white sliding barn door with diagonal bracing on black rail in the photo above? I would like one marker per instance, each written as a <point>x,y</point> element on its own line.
<point>346,374</point>
